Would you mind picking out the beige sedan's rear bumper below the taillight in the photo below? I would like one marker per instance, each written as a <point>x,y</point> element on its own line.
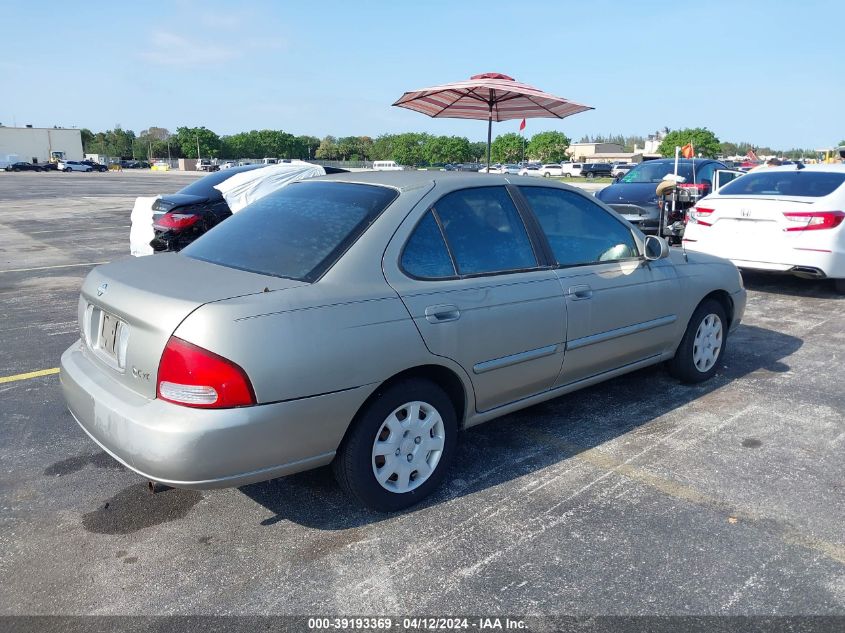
<point>200,448</point>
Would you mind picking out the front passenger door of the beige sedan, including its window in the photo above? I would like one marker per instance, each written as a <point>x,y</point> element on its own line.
<point>620,307</point>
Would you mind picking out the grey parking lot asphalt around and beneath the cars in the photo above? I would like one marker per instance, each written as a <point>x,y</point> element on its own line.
<point>637,496</point>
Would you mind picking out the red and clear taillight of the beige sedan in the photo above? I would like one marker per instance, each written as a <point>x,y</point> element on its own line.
<point>194,377</point>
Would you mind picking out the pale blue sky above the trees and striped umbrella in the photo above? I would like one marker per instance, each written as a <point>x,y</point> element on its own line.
<point>771,72</point>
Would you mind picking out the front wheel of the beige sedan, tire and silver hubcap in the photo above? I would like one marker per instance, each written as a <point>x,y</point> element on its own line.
<point>703,345</point>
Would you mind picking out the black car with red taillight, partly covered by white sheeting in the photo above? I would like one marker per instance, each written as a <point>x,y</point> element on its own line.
<point>180,218</point>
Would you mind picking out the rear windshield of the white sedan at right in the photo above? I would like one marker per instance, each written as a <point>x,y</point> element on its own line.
<point>810,184</point>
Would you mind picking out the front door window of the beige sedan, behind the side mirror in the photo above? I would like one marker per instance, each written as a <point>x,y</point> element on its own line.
<point>579,231</point>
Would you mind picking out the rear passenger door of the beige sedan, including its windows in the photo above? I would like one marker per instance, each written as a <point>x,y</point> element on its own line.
<point>474,283</point>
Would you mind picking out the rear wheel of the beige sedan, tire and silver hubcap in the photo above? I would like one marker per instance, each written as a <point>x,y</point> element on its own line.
<point>424,415</point>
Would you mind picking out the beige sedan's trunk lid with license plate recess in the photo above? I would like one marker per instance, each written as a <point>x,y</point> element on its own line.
<point>139,302</point>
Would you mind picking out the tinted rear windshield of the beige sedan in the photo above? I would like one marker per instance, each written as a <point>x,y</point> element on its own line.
<point>297,232</point>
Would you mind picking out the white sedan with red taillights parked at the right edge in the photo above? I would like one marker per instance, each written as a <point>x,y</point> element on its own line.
<point>783,219</point>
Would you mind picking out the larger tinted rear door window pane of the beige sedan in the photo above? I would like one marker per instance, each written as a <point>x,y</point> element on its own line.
<point>484,231</point>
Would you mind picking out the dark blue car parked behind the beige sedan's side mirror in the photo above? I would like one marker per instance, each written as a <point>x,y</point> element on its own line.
<point>634,195</point>
